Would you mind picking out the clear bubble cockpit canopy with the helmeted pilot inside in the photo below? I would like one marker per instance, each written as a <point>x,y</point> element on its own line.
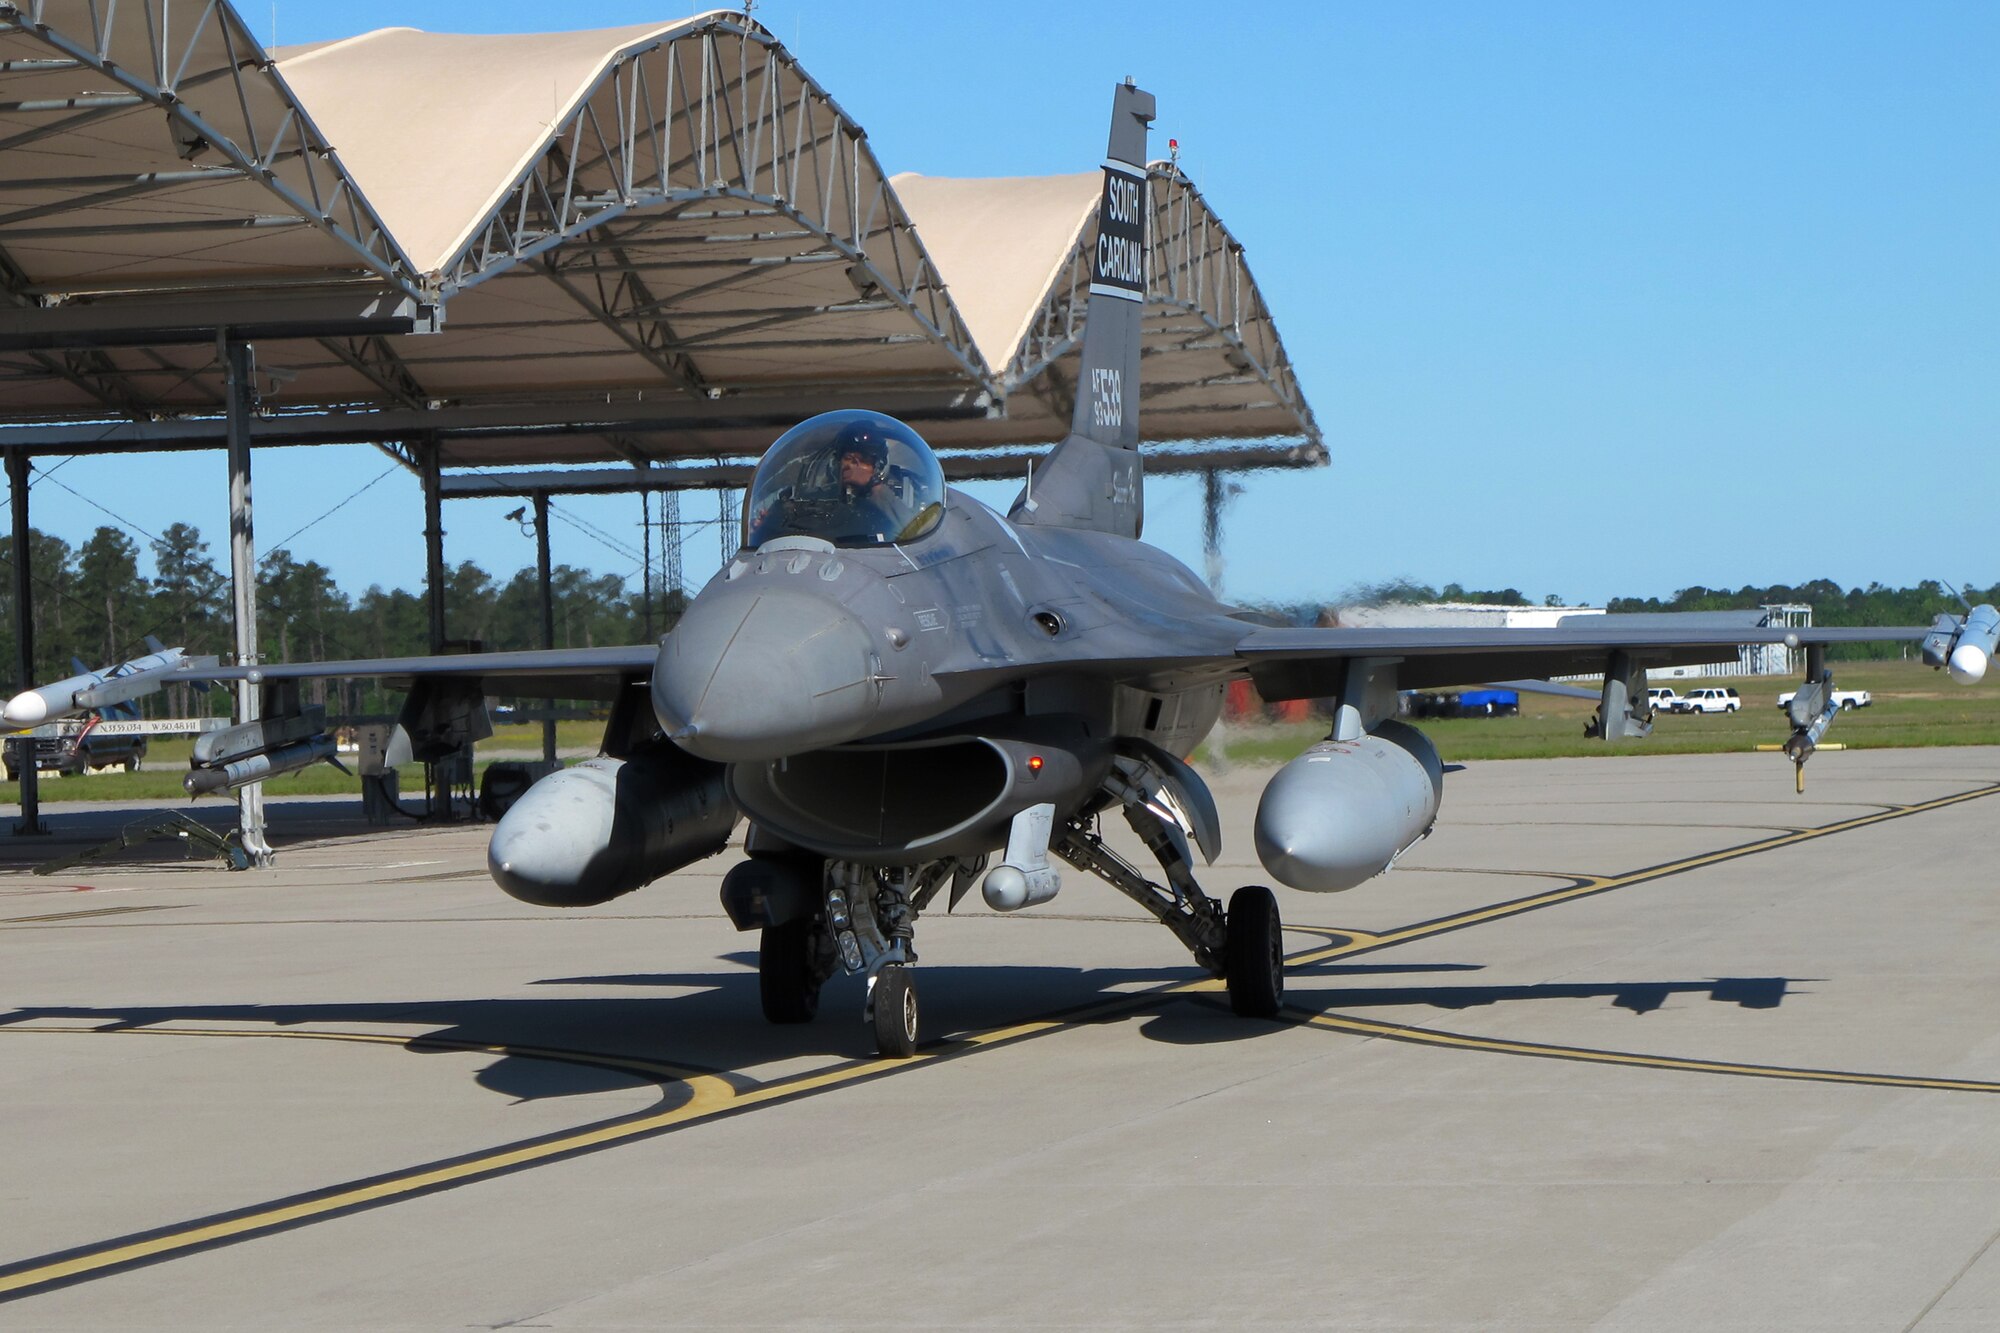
<point>851,477</point>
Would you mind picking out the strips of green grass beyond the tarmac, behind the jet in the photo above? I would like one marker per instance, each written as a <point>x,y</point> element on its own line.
<point>1913,708</point>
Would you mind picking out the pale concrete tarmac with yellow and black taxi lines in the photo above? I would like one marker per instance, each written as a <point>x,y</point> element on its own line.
<point>1629,1044</point>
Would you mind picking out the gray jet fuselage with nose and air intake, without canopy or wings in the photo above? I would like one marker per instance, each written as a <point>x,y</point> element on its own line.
<point>885,704</point>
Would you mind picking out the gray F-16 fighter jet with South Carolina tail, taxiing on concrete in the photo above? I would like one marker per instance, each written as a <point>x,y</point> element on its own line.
<point>909,696</point>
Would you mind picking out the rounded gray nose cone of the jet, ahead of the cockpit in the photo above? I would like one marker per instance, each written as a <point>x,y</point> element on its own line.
<point>757,674</point>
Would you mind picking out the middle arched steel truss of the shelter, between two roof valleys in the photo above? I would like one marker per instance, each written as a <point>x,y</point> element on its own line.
<point>721,135</point>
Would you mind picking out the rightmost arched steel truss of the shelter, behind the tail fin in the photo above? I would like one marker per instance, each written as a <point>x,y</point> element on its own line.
<point>1199,291</point>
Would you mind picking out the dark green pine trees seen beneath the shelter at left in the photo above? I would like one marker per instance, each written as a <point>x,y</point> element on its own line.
<point>99,605</point>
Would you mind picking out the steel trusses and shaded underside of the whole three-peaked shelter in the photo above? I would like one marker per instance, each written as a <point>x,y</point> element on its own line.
<point>701,219</point>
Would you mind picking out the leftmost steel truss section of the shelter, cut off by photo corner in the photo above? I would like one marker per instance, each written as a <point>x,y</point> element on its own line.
<point>197,63</point>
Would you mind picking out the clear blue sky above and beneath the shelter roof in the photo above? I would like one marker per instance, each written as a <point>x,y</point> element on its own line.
<point>1589,299</point>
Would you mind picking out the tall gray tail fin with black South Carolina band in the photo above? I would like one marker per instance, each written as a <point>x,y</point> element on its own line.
<point>1093,479</point>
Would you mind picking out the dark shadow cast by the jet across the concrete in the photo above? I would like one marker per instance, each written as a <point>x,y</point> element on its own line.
<point>715,1022</point>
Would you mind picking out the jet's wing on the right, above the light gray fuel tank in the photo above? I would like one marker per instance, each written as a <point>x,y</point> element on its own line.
<point>1309,663</point>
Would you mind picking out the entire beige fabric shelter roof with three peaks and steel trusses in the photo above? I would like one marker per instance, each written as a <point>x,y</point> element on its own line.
<point>645,243</point>
